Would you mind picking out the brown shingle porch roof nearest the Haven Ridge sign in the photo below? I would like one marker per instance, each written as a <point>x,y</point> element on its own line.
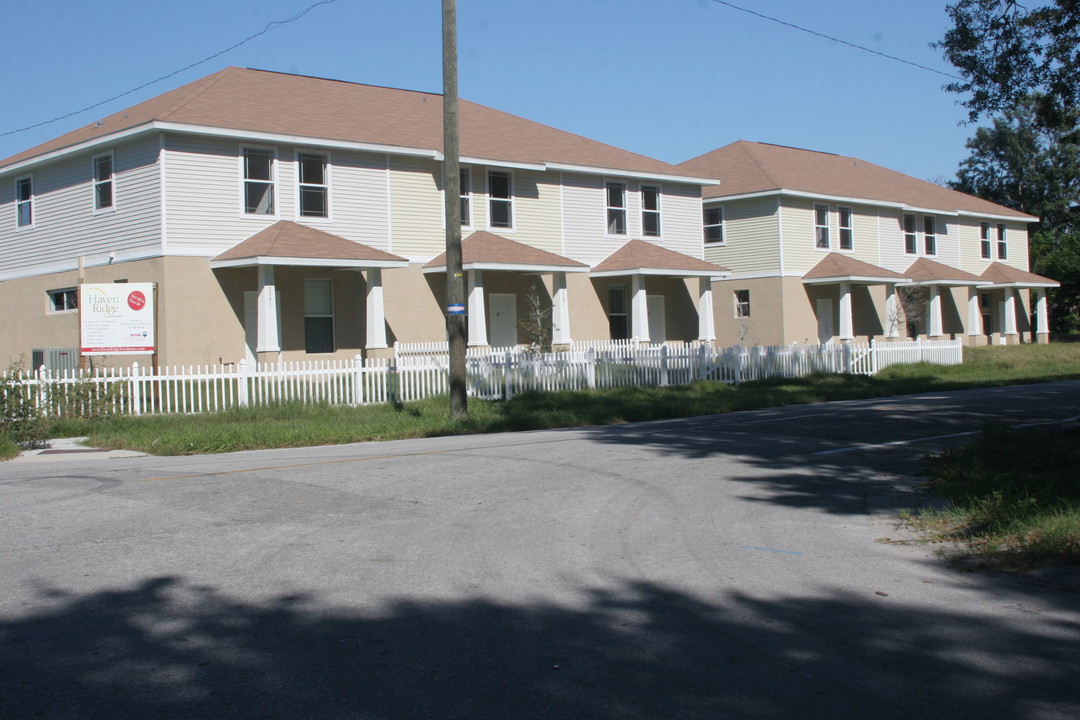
<point>300,242</point>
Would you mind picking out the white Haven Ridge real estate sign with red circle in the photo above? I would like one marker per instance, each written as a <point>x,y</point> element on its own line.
<point>117,319</point>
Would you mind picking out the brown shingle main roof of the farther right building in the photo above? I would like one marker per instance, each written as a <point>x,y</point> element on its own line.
<point>747,168</point>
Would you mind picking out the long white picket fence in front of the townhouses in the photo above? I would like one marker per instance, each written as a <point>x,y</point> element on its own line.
<point>415,374</point>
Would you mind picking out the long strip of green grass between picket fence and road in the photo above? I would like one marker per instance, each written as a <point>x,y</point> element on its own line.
<point>296,426</point>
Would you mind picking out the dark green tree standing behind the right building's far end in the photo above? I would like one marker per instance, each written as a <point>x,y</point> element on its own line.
<point>1025,166</point>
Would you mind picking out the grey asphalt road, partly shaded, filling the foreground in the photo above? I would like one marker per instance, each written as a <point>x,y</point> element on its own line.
<point>721,567</point>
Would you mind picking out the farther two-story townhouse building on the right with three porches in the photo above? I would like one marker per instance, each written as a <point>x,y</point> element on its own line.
<point>826,248</point>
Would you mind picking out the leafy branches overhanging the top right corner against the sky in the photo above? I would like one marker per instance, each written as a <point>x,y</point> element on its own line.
<point>1006,51</point>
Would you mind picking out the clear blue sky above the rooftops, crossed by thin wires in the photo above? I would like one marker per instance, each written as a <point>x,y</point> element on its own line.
<point>671,79</point>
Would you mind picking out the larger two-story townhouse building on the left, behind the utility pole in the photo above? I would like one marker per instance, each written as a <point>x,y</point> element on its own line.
<point>283,218</point>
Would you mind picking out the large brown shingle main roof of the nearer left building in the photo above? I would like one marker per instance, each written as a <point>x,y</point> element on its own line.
<point>258,101</point>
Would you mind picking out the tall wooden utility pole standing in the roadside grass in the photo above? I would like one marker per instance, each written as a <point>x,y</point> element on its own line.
<point>452,193</point>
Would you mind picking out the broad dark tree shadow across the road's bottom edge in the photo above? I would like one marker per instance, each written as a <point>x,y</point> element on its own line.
<point>170,649</point>
